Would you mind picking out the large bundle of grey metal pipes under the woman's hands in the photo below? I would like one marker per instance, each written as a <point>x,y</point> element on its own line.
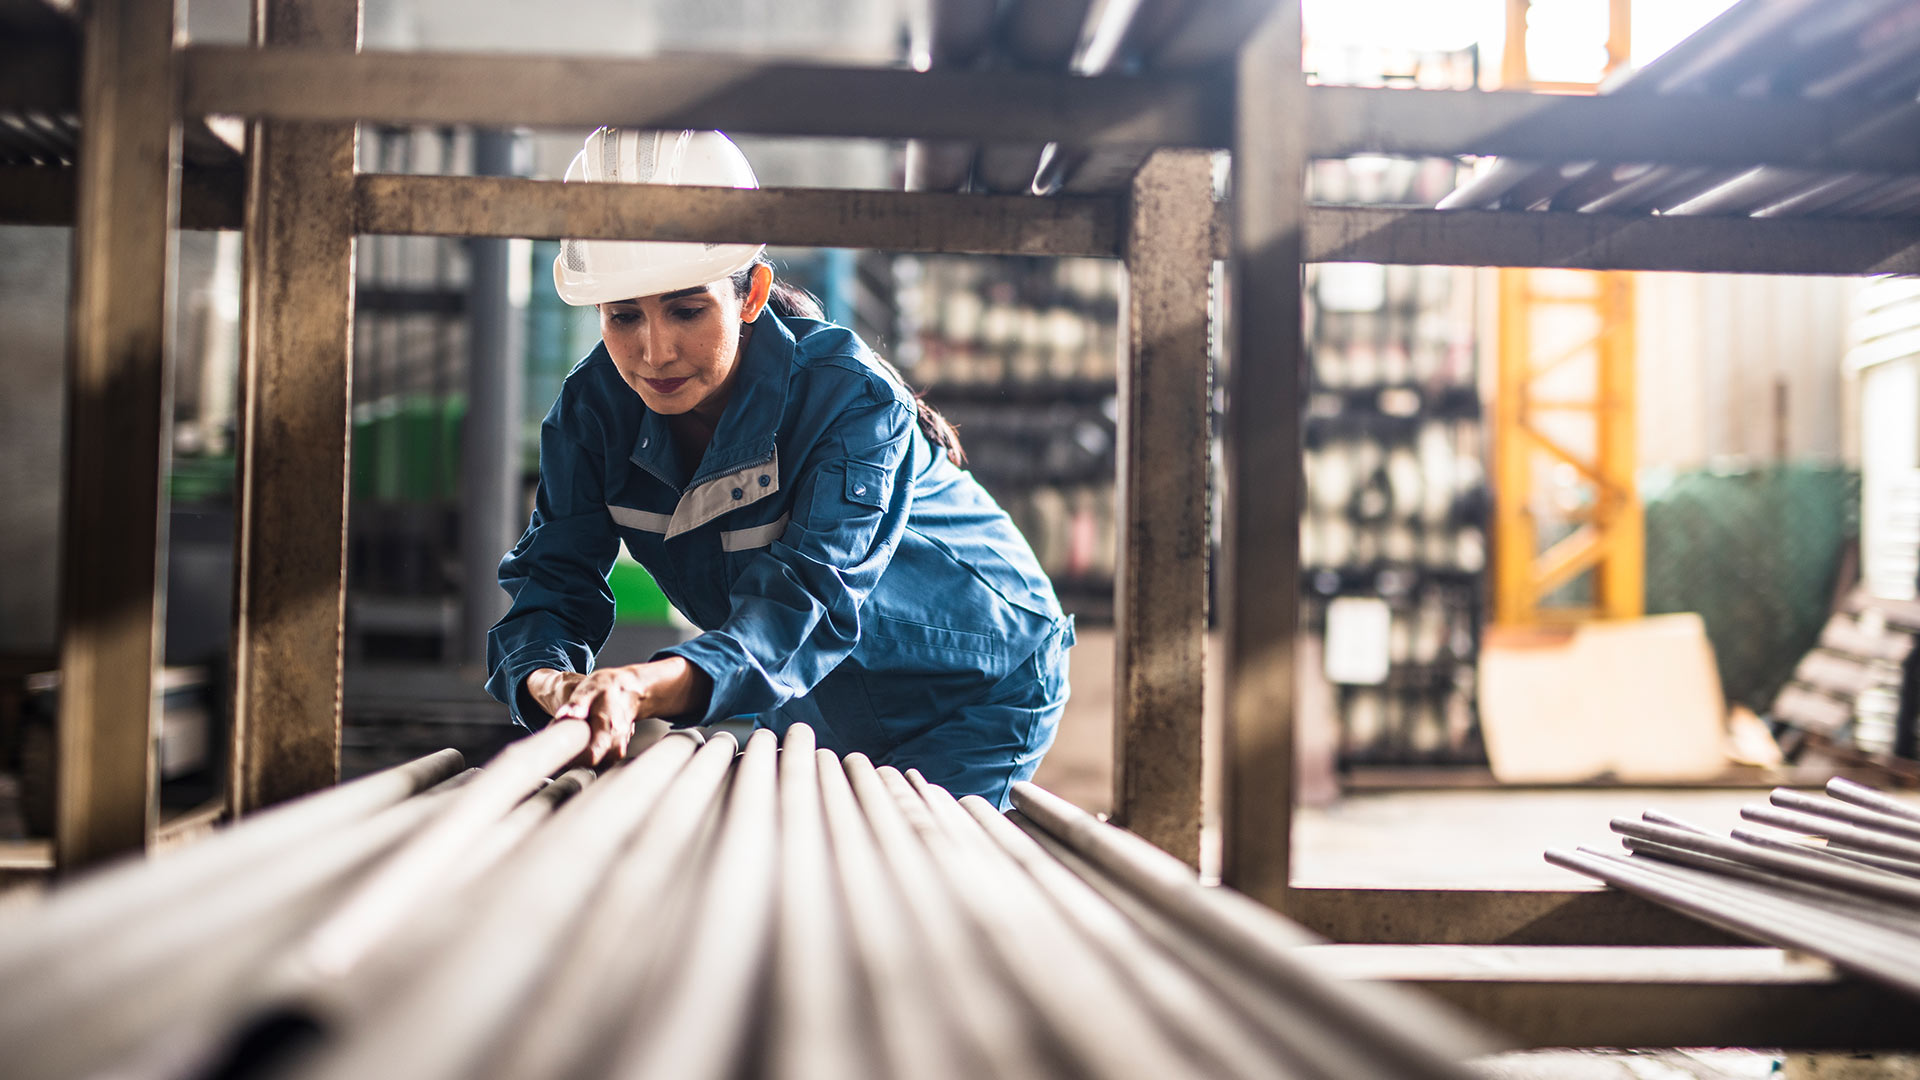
<point>698,910</point>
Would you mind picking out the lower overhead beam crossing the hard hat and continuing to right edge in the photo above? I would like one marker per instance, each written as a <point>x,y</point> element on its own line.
<point>1090,226</point>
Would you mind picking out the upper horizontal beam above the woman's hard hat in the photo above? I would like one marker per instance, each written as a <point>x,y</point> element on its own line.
<point>706,91</point>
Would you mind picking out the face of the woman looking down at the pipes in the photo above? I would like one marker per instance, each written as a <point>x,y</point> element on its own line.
<point>677,351</point>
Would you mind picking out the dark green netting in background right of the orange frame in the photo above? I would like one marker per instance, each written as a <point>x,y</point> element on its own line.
<point>1758,554</point>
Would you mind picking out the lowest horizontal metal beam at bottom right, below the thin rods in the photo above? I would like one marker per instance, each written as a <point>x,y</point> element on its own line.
<point>1644,998</point>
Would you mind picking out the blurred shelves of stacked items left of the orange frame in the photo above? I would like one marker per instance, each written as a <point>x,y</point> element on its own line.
<point>1393,533</point>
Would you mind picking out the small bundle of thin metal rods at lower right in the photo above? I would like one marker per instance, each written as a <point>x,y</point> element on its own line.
<point>1836,877</point>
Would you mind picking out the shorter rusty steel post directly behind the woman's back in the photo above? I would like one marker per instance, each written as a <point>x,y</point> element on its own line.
<point>1161,589</point>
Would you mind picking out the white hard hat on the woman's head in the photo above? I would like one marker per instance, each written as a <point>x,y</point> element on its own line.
<point>600,272</point>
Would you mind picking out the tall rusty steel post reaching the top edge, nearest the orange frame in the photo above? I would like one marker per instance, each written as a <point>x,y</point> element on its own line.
<point>1264,478</point>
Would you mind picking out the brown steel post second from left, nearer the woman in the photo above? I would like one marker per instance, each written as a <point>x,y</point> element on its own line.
<point>293,487</point>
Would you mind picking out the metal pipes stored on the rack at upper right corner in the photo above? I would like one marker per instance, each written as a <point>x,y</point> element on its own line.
<point>1806,49</point>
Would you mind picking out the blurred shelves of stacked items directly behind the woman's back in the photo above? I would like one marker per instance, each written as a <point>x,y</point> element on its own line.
<point>1020,355</point>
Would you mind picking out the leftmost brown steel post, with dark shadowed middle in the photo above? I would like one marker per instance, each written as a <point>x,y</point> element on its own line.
<point>114,533</point>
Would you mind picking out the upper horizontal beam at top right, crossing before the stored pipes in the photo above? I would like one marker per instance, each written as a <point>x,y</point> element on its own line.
<point>1566,128</point>
